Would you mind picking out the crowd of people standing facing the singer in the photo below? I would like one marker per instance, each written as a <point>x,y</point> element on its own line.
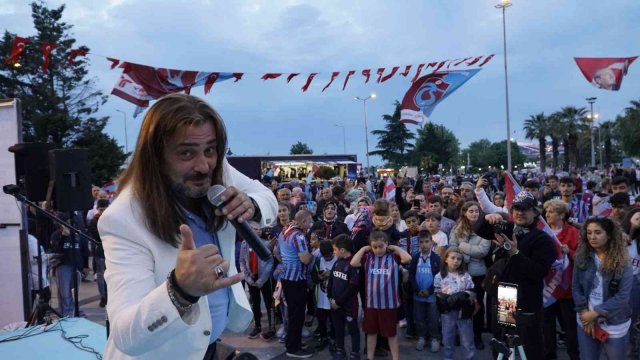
<point>429,261</point>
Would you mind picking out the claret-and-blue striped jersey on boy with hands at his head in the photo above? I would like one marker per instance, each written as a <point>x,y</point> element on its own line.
<point>381,274</point>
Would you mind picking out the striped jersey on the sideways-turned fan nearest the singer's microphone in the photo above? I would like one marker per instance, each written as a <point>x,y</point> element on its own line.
<point>292,242</point>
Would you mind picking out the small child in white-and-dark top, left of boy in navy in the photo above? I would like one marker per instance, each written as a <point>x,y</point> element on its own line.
<point>320,273</point>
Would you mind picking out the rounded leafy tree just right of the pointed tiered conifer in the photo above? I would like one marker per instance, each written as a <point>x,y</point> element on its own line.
<point>435,145</point>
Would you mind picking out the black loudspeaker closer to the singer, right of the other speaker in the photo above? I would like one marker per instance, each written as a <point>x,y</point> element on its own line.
<point>71,179</point>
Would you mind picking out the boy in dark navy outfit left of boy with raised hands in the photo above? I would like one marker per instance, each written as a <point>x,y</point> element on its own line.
<point>342,291</point>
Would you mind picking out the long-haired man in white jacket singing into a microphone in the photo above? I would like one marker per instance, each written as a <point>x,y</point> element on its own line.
<point>167,248</point>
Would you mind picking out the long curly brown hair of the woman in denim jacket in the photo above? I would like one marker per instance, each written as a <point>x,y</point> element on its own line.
<point>616,248</point>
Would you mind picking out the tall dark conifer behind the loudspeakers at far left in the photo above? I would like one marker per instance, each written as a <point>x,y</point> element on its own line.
<point>55,105</point>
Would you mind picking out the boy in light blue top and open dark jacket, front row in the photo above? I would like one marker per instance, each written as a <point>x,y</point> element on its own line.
<point>425,265</point>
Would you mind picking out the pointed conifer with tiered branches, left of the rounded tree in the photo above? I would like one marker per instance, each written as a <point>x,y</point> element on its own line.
<point>393,142</point>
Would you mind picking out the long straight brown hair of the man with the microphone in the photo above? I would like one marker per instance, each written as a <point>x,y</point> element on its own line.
<point>146,175</point>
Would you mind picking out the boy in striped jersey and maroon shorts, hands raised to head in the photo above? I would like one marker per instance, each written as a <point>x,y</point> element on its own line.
<point>381,267</point>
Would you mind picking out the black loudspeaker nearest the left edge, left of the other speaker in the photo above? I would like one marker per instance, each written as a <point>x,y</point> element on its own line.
<point>32,169</point>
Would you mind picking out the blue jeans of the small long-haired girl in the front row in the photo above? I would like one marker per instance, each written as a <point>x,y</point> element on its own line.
<point>464,327</point>
